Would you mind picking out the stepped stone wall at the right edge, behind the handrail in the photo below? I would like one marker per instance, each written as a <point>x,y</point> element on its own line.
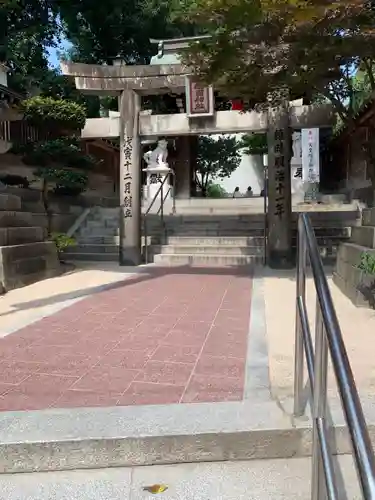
<point>348,277</point>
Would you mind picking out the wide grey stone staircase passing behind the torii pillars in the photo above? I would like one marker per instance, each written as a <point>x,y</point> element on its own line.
<point>202,239</point>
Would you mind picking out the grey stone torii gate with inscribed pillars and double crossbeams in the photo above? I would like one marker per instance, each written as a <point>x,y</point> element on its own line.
<point>129,83</point>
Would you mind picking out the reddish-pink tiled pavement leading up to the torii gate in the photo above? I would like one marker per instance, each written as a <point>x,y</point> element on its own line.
<point>168,337</point>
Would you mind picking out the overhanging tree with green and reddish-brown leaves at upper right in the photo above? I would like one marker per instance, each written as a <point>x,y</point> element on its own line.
<point>259,48</point>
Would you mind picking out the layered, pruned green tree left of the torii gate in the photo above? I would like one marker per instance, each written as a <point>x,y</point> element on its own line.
<point>59,160</point>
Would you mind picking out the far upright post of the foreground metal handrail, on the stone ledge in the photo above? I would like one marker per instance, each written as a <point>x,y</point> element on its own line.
<point>298,349</point>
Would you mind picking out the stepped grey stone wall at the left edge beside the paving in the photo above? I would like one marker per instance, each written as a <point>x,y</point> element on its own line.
<point>24,255</point>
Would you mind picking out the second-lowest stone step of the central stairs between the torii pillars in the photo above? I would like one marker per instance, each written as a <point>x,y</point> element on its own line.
<point>201,249</point>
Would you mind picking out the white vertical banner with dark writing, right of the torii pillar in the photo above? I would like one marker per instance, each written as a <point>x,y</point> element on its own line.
<point>310,155</point>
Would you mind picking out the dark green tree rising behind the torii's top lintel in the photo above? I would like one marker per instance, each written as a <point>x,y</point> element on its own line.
<point>100,31</point>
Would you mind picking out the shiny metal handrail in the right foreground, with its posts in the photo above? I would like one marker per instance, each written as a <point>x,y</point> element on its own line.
<point>328,339</point>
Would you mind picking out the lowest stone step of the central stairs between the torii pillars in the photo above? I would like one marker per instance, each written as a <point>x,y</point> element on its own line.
<point>208,260</point>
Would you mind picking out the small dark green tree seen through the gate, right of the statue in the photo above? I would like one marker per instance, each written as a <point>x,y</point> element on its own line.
<point>217,158</point>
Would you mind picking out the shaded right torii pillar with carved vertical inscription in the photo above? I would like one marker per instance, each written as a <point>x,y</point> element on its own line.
<point>280,255</point>
